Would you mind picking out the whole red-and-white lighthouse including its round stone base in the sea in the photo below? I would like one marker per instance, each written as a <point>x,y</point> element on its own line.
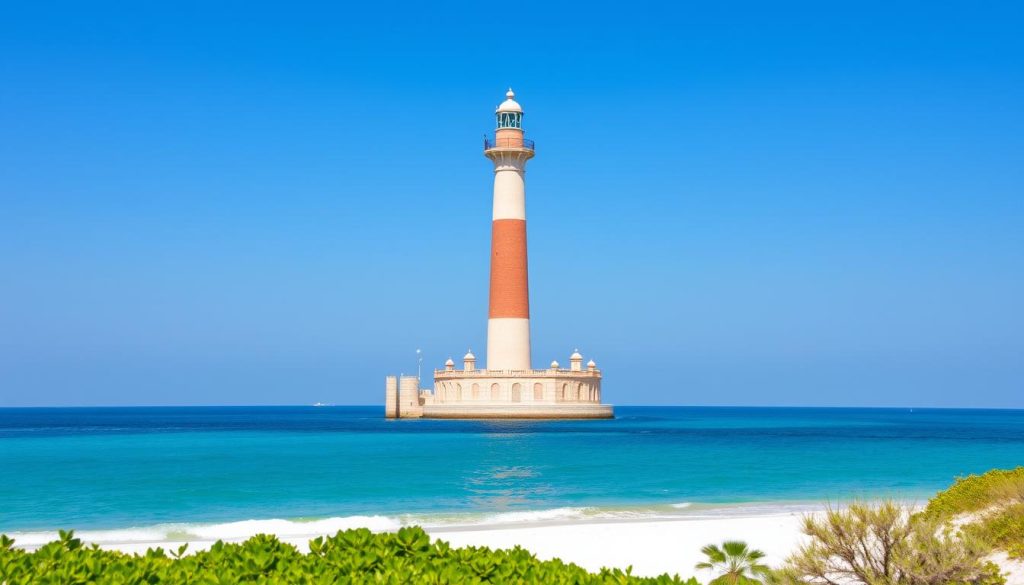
<point>507,387</point>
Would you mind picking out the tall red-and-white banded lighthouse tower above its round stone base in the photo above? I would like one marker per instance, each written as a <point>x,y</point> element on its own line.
<point>508,317</point>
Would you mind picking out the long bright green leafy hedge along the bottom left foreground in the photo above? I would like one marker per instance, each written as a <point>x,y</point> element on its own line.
<point>355,557</point>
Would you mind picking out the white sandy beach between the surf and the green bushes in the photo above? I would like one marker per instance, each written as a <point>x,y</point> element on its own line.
<point>651,547</point>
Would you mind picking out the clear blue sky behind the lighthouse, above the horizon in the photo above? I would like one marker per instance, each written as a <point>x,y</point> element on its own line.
<point>733,203</point>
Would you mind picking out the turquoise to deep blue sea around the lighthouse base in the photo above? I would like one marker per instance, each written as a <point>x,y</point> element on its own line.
<point>104,469</point>
